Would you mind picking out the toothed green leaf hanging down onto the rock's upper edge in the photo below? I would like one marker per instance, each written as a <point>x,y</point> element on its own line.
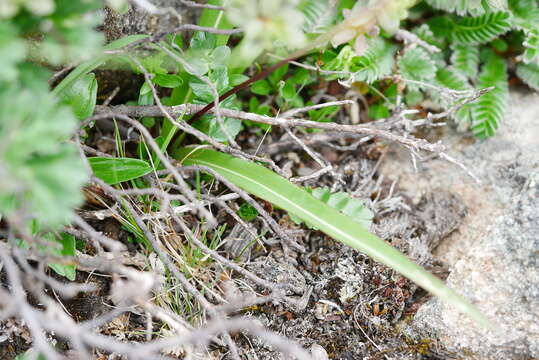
<point>488,111</point>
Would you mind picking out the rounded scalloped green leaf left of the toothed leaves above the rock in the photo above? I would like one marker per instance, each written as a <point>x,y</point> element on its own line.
<point>416,65</point>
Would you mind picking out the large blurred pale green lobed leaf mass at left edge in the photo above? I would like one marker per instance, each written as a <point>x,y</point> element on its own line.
<point>40,172</point>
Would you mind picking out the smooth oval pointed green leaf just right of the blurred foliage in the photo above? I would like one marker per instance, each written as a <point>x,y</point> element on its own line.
<point>117,170</point>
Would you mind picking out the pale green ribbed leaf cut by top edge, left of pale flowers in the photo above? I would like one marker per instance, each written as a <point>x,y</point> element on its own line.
<point>319,15</point>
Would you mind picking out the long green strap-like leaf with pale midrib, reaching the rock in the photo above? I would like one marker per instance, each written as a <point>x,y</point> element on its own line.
<point>271,187</point>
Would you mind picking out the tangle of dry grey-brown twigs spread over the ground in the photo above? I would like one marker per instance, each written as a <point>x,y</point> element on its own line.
<point>134,289</point>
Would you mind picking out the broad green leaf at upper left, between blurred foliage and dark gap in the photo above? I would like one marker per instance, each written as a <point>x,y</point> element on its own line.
<point>81,96</point>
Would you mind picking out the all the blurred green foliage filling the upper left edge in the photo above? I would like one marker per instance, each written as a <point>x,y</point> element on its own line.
<point>41,173</point>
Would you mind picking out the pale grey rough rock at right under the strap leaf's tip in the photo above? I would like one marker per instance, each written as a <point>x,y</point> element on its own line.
<point>494,255</point>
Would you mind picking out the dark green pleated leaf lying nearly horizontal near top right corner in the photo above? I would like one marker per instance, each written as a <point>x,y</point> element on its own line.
<point>481,29</point>
